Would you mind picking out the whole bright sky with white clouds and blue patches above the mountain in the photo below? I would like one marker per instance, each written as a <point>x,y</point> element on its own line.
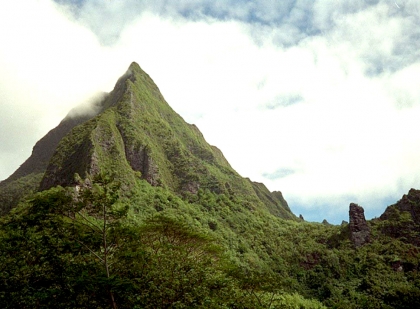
<point>317,99</point>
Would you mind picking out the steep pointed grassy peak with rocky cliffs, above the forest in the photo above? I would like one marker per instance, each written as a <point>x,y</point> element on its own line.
<point>139,135</point>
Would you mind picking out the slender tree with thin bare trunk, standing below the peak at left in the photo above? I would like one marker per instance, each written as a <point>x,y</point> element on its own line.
<point>96,213</point>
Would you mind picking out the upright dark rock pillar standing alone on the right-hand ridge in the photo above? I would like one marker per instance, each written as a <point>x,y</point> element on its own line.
<point>359,230</point>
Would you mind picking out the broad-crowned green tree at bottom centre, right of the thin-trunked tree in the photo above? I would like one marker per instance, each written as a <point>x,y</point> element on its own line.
<point>181,265</point>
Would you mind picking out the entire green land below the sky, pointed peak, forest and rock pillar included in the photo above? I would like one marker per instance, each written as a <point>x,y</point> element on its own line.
<point>132,208</point>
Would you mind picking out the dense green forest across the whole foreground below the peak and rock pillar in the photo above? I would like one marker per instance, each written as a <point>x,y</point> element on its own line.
<point>152,249</point>
